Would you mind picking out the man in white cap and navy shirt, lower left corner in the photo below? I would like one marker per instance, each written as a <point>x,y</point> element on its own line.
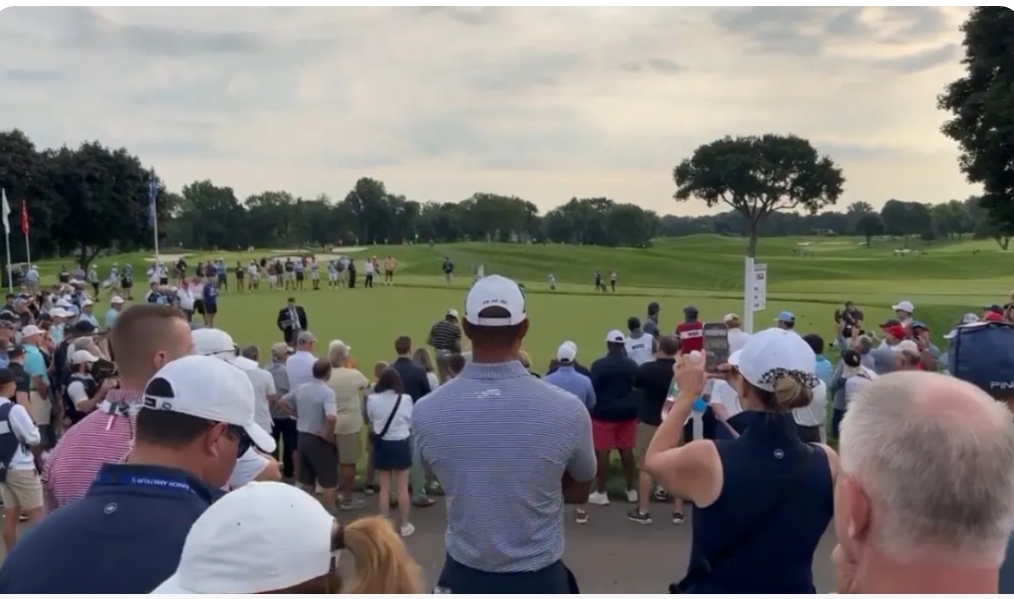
<point>196,420</point>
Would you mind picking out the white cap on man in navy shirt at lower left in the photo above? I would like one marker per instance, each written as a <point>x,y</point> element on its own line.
<point>209,389</point>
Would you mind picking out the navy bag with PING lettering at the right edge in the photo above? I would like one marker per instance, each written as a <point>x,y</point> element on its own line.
<point>983,354</point>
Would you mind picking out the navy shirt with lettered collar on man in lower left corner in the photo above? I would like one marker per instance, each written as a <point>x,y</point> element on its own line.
<point>125,536</point>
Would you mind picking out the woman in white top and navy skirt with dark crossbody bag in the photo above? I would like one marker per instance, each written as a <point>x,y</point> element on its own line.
<point>390,411</point>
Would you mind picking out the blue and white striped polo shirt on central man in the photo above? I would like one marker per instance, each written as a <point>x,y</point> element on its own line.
<point>499,441</point>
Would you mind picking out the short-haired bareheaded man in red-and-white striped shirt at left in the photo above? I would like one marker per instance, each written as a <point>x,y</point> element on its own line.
<point>147,338</point>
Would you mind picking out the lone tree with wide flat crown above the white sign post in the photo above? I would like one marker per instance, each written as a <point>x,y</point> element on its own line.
<point>758,177</point>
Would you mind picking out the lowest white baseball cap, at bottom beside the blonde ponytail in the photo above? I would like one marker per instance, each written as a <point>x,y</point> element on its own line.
<point>222,552</point>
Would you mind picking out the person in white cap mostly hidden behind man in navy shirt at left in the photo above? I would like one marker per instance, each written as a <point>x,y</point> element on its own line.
<point>252,466</point>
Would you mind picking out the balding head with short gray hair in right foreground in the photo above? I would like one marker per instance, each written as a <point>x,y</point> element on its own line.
<point>935,456</point>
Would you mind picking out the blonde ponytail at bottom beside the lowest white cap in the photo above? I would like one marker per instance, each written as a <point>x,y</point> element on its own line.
<point>384,565</point>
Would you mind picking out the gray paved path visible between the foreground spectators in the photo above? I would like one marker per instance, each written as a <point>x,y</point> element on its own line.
<point>609,555</point>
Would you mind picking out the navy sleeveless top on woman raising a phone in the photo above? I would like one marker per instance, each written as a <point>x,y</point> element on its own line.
<point>758,466</point>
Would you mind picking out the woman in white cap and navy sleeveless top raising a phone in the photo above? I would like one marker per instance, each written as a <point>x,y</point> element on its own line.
<point>764,500</point>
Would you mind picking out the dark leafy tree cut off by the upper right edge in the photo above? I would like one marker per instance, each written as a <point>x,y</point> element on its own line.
<point>983,107</point>
